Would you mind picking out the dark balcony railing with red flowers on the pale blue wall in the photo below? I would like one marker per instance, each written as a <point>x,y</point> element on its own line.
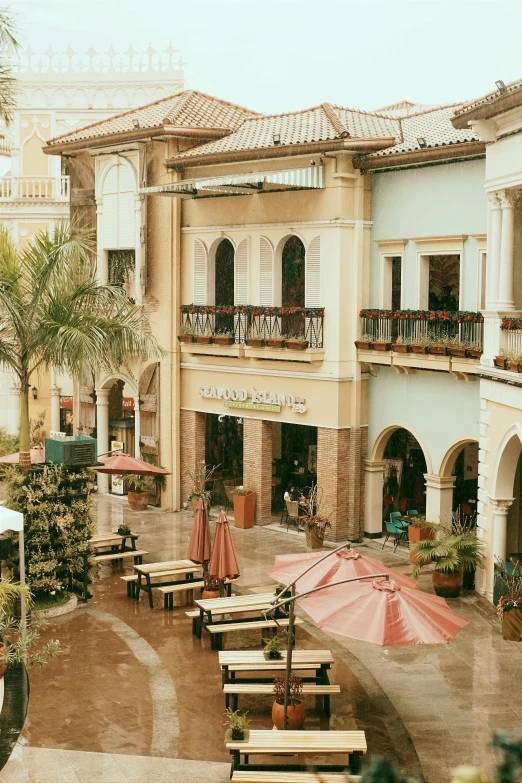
<point>424,327</point>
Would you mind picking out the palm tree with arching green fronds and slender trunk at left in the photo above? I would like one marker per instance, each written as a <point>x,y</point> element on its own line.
<point>55,312</point>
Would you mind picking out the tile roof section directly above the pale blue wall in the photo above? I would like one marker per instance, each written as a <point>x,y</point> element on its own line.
<point>433,125</point>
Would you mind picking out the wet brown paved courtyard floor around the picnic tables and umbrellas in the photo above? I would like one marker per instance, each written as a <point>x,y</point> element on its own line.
<point>135,697</point>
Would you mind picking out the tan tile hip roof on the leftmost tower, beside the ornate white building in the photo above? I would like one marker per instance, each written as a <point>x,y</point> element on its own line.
<point>187,109</point>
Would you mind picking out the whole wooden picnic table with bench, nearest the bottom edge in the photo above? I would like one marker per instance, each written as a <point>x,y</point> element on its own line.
<point>267,743</point>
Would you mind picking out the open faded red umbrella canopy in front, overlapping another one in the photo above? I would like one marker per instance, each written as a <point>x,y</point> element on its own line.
<point>385,613</point>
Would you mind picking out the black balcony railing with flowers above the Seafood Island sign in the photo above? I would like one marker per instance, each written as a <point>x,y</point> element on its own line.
<point>243,323</point>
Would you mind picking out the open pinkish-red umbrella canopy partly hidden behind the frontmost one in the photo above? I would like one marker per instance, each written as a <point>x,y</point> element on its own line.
<point>345,564</point>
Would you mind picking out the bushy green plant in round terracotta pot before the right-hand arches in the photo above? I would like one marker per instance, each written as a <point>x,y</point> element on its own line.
<point>452,554</point>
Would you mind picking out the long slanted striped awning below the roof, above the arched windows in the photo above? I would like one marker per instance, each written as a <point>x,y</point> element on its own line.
<point>310,177</point>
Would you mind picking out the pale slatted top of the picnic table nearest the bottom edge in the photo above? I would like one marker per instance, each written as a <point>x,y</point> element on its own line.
<point>261,741</point>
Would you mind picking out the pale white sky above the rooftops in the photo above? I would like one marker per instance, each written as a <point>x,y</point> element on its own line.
<point>281,55</point>
